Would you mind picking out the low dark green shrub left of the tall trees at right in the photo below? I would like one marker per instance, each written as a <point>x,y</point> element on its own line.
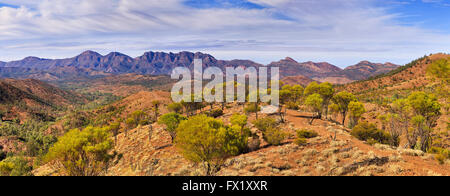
<point>365,131</point>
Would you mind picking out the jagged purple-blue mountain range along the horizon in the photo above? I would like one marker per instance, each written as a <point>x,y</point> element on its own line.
<point>93,64</point>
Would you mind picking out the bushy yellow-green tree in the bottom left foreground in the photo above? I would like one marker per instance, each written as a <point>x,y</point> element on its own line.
<point>82,153</point>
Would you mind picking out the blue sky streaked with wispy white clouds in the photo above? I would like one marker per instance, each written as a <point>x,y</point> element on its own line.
<point>342,32</point>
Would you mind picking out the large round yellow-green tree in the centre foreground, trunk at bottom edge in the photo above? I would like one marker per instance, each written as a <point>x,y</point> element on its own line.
<point>206,140</point>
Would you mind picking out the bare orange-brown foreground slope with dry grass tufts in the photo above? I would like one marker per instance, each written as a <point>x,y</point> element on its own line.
<point>147,151</point>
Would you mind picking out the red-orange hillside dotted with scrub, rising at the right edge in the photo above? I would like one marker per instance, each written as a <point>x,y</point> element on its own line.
<point>400,83</point>
